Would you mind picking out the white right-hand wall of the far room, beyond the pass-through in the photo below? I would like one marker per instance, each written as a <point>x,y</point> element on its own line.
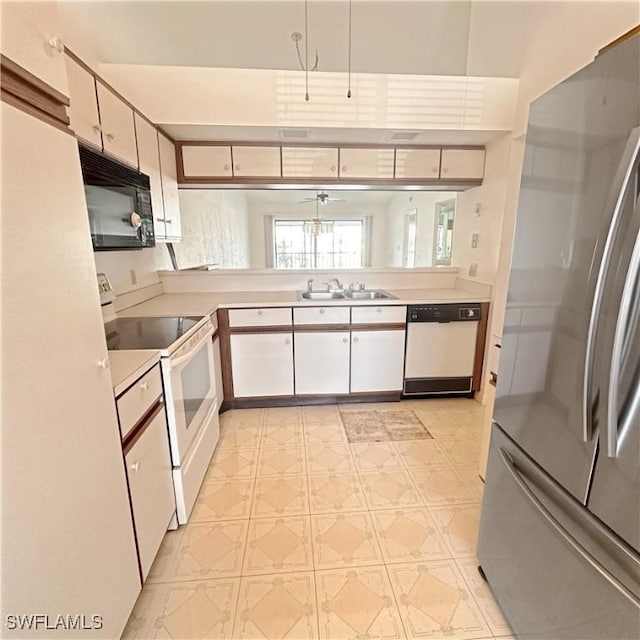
<point>425,204</point>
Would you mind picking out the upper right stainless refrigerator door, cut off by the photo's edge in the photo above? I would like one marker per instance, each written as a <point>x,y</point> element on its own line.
<point>615,492</point>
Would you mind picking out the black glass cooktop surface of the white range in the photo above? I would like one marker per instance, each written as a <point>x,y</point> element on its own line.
<point>147,332</point>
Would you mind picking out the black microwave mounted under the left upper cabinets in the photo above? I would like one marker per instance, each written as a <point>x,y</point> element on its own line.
<point>118,202</point>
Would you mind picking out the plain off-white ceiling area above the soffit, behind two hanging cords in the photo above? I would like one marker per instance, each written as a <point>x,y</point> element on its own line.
<point>456,37</point>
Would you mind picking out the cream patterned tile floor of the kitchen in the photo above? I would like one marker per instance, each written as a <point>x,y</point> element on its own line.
<point>299,534</point>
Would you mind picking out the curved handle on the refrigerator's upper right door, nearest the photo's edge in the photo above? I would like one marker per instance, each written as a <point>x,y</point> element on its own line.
<point>624,311</point>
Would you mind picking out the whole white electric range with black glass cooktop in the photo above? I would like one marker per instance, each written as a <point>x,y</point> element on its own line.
<point>188,377</point>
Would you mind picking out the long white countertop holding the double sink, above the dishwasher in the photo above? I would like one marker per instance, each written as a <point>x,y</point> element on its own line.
<point>207,303</point>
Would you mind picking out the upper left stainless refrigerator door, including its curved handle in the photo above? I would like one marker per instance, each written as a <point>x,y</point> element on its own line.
<point>581,140</point>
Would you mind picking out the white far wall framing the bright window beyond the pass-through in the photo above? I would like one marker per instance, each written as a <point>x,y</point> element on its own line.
<point>335,210</point>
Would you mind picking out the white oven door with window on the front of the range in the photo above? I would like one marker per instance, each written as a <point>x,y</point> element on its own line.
<point>190,392</point>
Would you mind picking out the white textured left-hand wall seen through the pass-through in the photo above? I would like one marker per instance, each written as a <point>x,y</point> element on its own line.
<point>215,229</point>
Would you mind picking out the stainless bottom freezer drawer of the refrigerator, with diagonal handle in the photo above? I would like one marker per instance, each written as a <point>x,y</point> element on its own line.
<point>555,571</point>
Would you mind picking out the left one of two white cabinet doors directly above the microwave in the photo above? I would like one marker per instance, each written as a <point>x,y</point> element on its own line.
<point>83,110</point>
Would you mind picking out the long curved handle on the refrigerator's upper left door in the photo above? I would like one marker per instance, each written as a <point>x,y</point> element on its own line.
<point>621,183</point>
